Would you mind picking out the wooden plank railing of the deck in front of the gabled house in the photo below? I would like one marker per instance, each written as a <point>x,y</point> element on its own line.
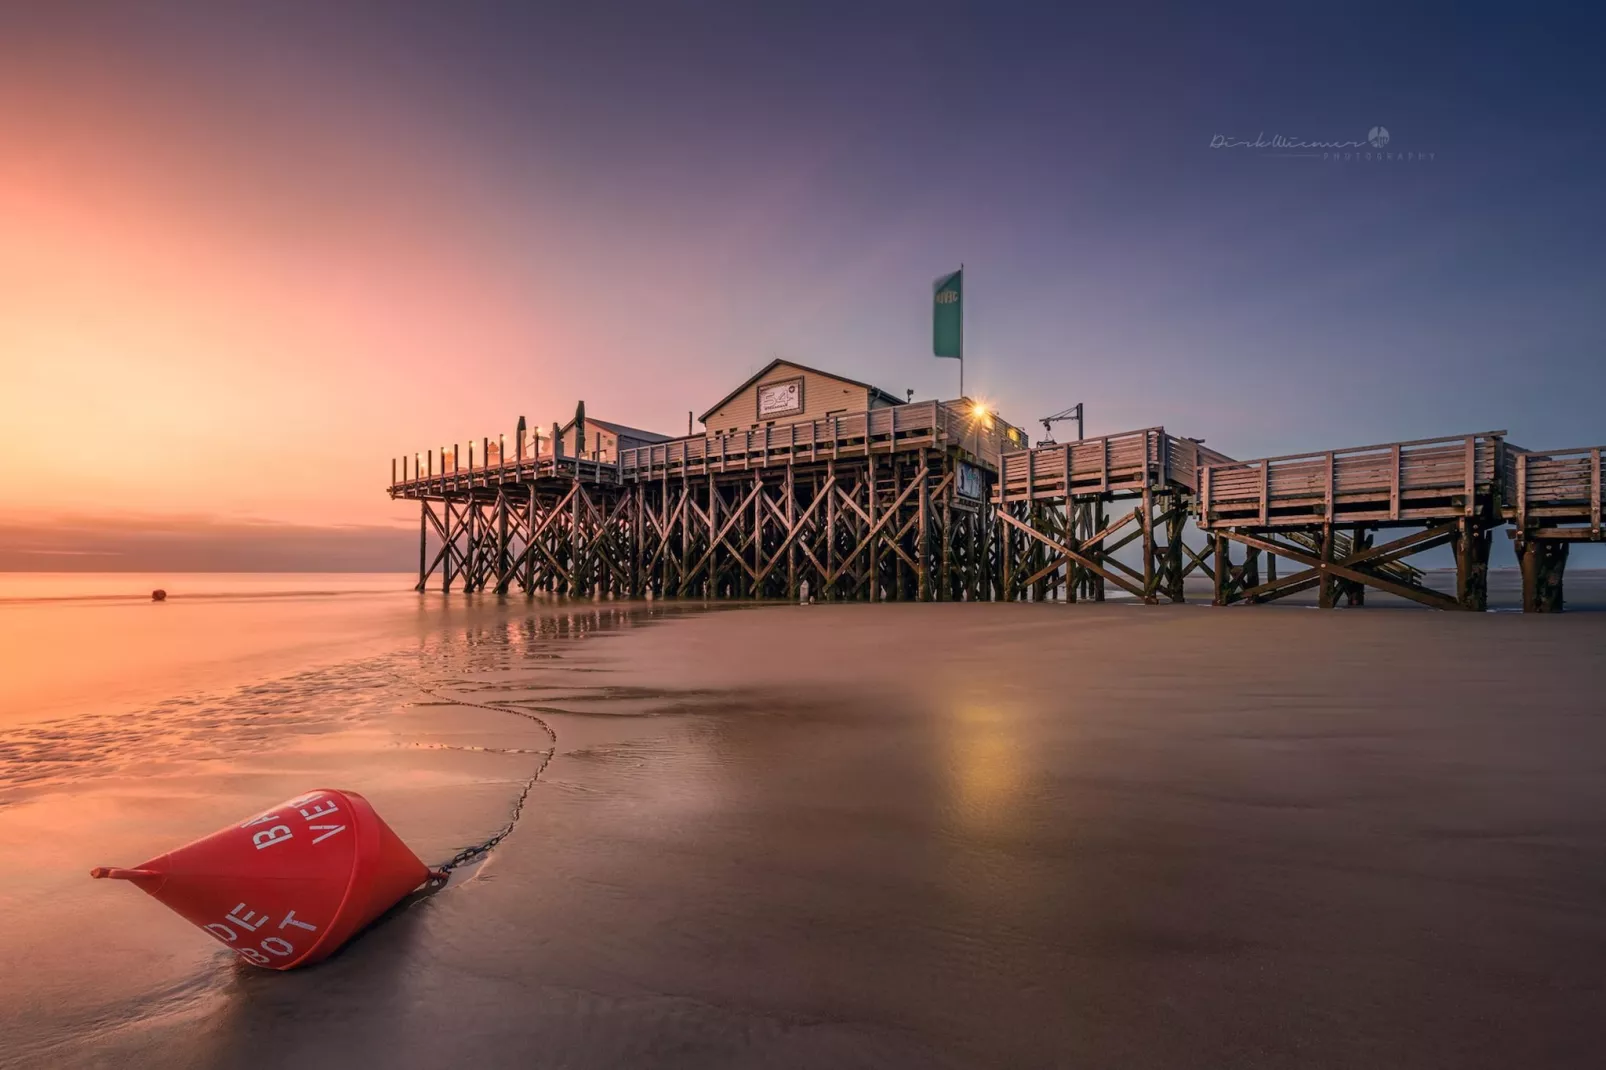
<point>891,430</point>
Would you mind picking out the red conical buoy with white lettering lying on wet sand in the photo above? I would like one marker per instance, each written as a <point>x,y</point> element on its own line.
<point>291,884</point>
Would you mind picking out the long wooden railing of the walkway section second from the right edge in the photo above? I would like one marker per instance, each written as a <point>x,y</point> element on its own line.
<point>1398,481</point>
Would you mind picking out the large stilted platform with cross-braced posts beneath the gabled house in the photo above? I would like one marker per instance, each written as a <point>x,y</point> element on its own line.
<point>882,505</point>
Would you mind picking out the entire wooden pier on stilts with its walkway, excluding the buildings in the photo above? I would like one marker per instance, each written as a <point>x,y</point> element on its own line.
<point>940,502</point>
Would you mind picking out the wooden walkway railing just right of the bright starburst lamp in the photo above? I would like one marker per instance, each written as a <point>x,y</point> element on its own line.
<point>1120,464</point>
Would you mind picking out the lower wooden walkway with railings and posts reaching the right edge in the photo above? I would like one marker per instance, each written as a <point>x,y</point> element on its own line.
<point>1454,492</point>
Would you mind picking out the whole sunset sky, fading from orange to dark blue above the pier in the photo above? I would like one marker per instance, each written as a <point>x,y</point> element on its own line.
<point>251,253</point>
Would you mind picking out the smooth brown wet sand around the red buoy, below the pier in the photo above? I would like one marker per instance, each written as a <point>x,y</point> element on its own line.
<point>940,836</point>
